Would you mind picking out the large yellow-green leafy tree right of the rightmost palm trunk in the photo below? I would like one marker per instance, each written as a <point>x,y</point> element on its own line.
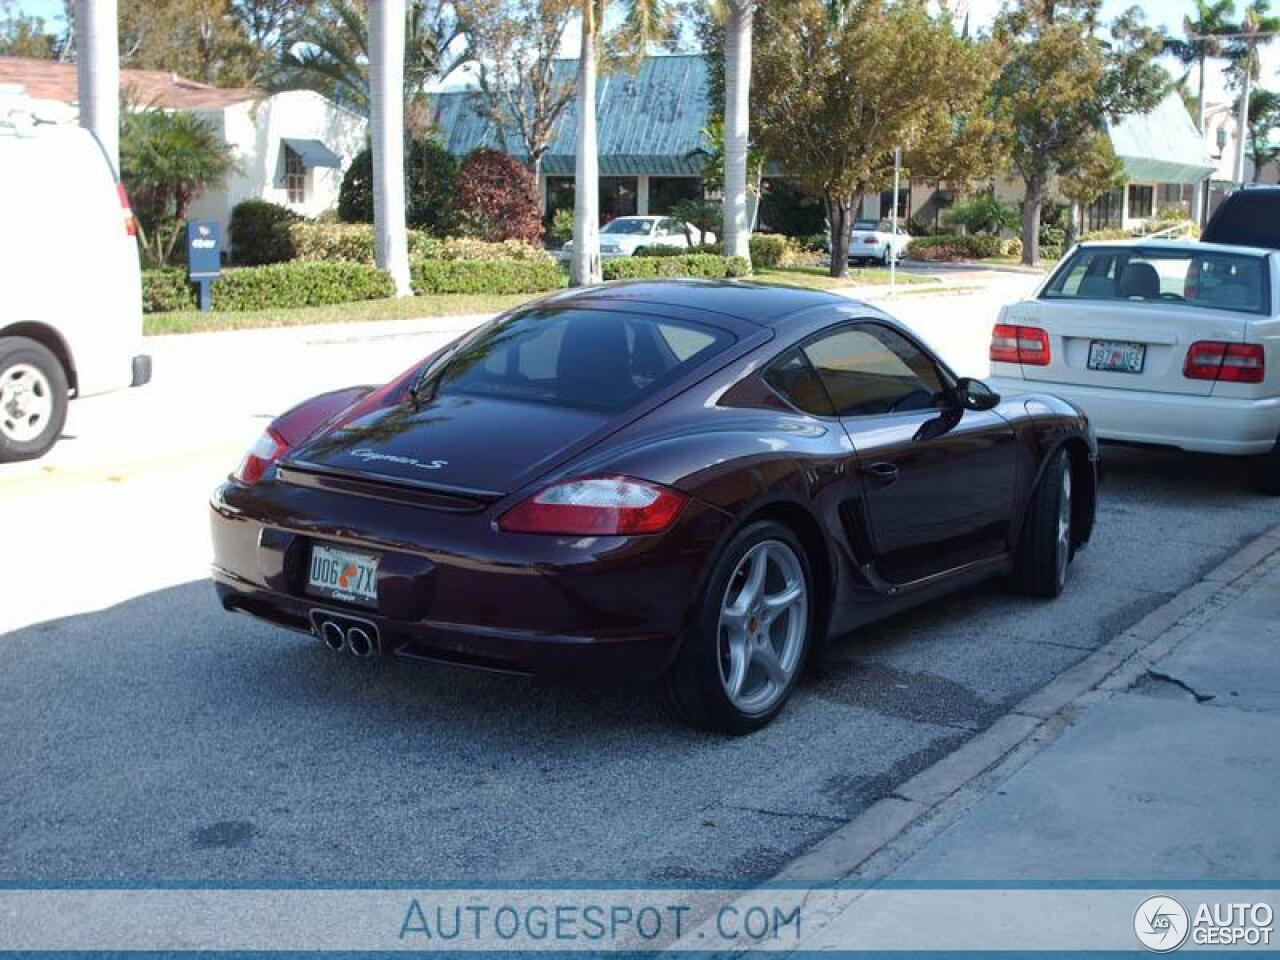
<point>838,90</point>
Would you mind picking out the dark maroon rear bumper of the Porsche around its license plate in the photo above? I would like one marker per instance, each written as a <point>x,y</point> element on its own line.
<point>602,610</point>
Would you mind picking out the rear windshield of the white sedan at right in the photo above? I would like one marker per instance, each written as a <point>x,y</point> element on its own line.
<point>1190,277</point>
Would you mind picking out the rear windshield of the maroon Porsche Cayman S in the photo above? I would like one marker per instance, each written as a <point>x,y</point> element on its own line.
<point>583,359</point>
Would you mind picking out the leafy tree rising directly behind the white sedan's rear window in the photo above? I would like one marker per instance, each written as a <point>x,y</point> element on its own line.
<point>1063,81</point>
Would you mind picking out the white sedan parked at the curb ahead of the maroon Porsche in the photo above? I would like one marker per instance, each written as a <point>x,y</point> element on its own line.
<point>1165,342</point>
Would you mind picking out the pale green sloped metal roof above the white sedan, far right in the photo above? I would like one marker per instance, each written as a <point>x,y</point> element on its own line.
<point>1163,147</point>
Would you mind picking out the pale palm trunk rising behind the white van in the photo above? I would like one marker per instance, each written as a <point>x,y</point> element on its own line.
<point>98,71</point>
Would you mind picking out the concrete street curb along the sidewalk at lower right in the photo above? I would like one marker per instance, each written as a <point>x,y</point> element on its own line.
<point>1030,726</point>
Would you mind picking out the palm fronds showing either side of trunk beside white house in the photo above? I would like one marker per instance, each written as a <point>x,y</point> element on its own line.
<point>331,51</point>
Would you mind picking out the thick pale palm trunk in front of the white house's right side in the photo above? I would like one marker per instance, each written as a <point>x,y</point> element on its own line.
<point>387,116</point>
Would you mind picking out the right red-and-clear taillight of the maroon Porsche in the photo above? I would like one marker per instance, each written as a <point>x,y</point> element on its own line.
<point>596,506</point>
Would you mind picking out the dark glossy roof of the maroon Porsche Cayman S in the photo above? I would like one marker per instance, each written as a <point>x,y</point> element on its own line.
<point>753,303</point>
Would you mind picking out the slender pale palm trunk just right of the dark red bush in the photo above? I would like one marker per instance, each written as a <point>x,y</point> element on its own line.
<point>586,263</point>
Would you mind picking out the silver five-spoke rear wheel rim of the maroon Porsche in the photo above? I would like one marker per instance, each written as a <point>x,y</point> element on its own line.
<point>764,620</point>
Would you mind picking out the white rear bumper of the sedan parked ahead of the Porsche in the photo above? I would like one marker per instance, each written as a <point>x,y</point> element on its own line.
<point>1220,426</point>
